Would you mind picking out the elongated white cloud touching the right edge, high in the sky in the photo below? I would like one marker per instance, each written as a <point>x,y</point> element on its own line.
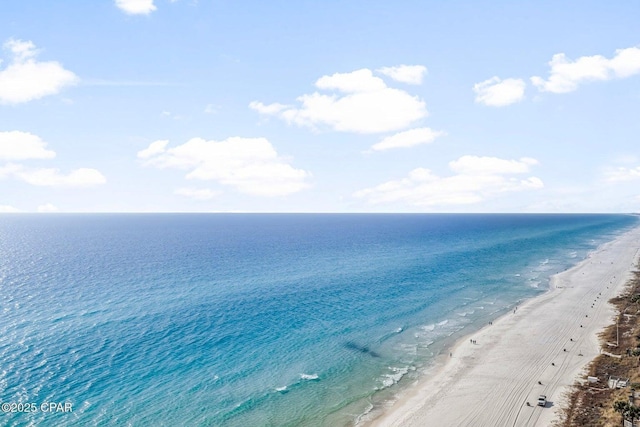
<point>566,75</point>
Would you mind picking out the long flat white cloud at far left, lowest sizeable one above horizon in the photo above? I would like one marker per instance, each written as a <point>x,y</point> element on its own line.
<point>82,178</point>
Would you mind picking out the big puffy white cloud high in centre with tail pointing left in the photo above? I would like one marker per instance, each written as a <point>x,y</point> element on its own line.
<point>363,104</point>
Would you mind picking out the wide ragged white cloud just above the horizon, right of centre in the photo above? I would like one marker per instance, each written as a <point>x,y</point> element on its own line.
<point>476,179</point>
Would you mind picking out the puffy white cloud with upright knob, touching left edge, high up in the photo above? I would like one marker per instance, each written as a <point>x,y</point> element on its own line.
<point>26,79</point>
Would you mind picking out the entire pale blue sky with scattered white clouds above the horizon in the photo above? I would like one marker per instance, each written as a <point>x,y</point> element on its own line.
<point>319,106</point>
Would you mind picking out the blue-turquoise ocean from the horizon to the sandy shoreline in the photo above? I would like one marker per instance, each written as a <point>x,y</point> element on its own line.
<point>255,319</point>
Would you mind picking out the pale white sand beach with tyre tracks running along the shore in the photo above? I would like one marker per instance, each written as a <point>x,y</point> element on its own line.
<point>489,383</point>
